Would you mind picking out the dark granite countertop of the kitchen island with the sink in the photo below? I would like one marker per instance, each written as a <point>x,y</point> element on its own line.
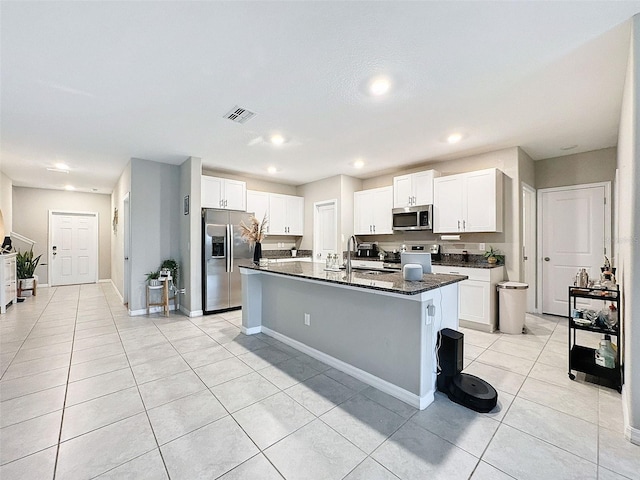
<point>383,281</point>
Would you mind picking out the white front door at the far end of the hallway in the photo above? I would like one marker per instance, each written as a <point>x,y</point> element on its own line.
<point>73,248</point>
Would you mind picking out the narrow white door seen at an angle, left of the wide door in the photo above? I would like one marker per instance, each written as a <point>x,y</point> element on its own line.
<point>529,243</point>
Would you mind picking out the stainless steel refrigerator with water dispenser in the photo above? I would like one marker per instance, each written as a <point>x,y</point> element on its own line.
<point>222,249</point>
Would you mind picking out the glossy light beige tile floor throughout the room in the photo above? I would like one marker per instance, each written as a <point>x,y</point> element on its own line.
<point>88,392</point>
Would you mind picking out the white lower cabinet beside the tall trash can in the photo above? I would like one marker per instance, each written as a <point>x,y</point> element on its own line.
<point>478,299</point>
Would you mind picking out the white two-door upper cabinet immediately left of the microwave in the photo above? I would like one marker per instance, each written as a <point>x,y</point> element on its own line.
<point>372,211</point>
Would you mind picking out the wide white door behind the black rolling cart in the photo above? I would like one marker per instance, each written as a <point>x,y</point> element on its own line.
<point>575,230</point>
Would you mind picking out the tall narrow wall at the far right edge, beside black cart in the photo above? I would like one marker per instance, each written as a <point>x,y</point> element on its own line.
<point>628,233</point>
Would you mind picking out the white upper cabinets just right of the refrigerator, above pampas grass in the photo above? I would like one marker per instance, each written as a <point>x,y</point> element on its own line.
<point>284,212</point>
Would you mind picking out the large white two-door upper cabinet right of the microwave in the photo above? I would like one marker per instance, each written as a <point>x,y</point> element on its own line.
<point>468,202</point>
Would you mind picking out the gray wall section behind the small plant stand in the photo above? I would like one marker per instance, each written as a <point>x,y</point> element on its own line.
<point>155,208</point>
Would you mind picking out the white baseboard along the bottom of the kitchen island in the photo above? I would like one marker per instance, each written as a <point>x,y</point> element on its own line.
<point>389,388</point>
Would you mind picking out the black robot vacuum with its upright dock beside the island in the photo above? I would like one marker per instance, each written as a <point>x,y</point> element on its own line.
<point>462,388</point>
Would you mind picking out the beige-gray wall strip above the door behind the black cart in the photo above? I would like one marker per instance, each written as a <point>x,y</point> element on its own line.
<point>578,169</point>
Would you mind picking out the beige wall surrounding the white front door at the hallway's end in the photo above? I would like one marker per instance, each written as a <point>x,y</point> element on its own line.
<point>31,218</point>
